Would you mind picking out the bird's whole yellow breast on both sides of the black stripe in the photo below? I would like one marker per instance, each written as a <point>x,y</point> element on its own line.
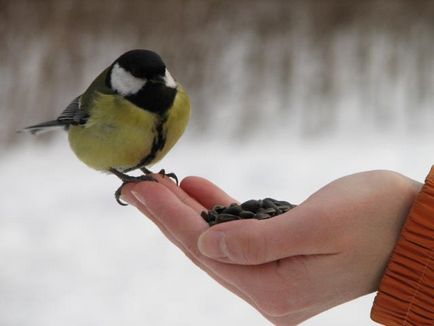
<point>120,135</point>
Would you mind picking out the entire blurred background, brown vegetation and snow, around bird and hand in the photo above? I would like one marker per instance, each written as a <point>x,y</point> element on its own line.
<point>286,97</point>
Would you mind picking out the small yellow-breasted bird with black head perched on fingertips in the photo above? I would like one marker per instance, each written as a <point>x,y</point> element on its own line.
<point>129,118</point>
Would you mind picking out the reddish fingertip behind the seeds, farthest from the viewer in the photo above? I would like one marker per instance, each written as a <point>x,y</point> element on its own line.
<point>205,192</point>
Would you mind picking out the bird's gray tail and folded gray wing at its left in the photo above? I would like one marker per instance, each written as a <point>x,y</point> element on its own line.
<point>72,115</point>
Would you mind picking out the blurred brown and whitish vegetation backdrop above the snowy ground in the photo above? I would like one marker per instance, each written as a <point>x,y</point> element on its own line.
<point>309,67</point>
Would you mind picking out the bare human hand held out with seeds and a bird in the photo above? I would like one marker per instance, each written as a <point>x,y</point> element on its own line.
<point>330,249</point>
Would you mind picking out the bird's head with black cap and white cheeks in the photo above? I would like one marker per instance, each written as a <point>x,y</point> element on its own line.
<point>137,69</point>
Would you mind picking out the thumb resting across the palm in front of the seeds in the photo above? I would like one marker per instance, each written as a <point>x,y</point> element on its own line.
<point>301,231</point>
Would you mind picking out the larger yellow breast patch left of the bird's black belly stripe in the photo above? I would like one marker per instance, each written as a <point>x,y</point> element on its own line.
<point>117,135</point>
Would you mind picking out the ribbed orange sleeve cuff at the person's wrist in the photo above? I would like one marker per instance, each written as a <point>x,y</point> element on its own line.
<point>406,293</point>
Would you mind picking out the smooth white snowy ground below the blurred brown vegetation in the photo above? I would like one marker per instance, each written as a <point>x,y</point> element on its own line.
<point>72,256</point>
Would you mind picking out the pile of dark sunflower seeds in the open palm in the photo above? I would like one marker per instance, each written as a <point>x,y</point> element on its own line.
<point>258,209</point>
